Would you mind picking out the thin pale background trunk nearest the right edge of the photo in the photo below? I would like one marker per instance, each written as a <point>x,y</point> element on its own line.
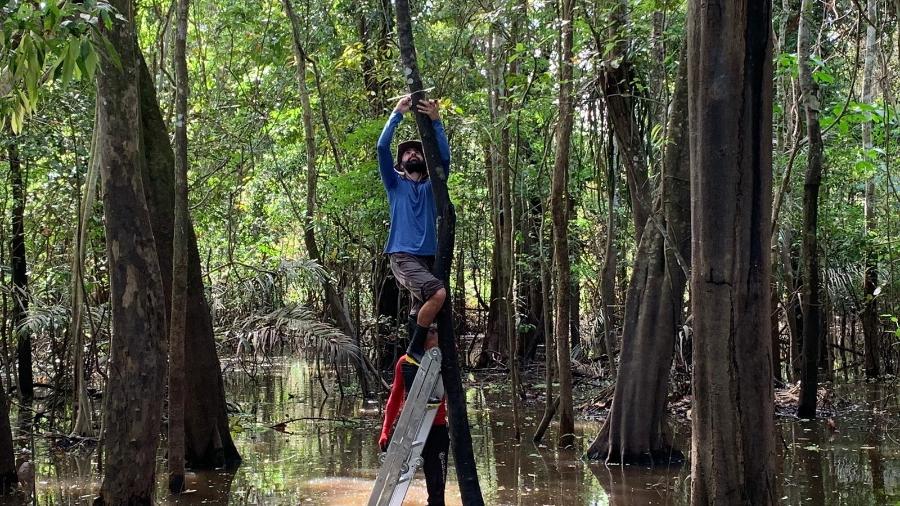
<point>870,282</point>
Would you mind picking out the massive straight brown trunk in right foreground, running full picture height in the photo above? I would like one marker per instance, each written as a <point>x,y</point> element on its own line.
<point>730,104</point>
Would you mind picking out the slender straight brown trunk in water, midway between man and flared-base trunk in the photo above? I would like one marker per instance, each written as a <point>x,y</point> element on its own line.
<point>559,208</point>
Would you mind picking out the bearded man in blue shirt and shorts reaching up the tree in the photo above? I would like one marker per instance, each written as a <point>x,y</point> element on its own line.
<point>412,241</point>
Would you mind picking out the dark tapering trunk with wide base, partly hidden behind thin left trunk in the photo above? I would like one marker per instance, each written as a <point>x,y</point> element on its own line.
<point>208,442</point>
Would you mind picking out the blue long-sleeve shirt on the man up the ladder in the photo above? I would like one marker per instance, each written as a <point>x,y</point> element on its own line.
<point>413,212</point>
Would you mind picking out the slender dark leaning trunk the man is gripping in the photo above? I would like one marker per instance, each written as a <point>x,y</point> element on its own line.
<point>460,436</point>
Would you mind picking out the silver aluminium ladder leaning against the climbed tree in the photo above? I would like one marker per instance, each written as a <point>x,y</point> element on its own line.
<point>404,454</point>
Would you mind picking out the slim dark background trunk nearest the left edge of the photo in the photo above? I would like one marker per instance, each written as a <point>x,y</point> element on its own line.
<point>19,274</point>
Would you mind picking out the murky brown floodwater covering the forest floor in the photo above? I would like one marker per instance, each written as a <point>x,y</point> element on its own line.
<point>328,455</point>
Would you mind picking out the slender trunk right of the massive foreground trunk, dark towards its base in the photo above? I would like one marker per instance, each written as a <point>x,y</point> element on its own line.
<point>812,304</point>
